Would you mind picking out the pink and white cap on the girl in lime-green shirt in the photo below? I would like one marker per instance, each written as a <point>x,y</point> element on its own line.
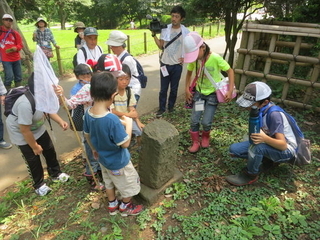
<point>191,44</point>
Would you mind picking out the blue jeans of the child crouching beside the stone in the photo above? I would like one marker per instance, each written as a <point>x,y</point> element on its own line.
<point>255,153</point>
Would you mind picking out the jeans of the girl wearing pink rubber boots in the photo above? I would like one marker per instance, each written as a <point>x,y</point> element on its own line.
<point>210,107</point>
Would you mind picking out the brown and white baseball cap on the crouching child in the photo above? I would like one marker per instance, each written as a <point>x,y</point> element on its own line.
<point>254,92</point>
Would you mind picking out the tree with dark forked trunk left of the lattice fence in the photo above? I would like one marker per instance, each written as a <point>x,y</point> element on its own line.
<point>226,10</point>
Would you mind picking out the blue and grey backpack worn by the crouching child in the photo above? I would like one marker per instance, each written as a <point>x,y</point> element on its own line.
<point>303,153</point>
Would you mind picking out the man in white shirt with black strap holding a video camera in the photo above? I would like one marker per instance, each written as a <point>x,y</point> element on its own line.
<point>171,60</point>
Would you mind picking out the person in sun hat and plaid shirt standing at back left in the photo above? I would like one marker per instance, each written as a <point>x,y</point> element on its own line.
<point>44,37</point>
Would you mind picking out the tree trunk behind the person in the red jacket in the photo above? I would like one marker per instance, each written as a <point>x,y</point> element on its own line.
<point>26,55</point>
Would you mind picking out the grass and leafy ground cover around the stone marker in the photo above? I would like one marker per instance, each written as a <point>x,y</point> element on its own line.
<point>283,204</point>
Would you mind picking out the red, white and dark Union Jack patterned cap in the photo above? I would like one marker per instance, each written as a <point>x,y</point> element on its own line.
<point>110,63</point>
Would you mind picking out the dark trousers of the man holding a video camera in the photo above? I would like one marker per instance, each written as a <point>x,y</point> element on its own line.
<point>173,80</point>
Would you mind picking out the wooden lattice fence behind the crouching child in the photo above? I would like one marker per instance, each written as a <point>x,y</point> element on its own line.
<point>269,48</point>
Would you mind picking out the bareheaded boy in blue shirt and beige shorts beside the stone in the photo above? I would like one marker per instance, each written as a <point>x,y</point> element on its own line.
<point>109,141</point>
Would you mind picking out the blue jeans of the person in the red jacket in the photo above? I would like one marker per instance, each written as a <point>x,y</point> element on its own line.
<point>12,71</point>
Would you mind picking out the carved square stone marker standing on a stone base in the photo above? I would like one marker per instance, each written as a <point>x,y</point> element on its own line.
<point>157,164</point>
